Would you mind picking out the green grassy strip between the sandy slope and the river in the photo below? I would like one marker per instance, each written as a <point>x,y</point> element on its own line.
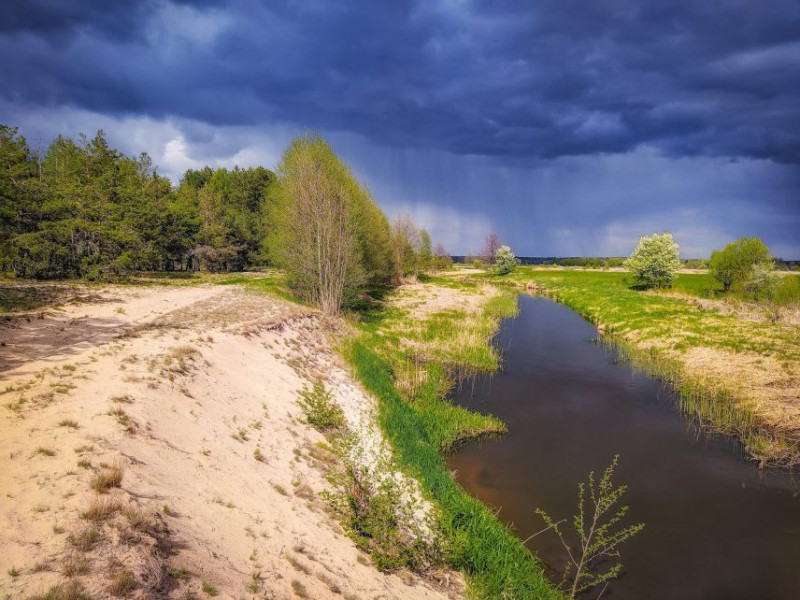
<point>410,364</point>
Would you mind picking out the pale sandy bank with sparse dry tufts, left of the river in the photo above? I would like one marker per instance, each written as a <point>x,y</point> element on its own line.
<point>222,480</point>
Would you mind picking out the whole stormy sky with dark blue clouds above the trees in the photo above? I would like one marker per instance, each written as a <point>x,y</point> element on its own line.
<point>568,127</point>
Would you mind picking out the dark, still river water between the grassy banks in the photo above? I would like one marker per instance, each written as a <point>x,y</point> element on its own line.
<point>716,527</point>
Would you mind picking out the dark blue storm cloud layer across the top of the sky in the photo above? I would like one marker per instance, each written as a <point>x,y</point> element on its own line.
<point>512,79</point>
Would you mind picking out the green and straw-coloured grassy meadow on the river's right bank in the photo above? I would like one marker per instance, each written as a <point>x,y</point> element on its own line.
<point>735,364</point>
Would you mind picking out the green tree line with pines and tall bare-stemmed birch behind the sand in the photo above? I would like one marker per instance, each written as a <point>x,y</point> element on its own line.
<point>81,209</point>
